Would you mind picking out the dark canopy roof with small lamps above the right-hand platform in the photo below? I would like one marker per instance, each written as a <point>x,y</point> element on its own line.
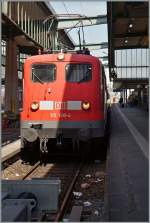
<point>127,28</point>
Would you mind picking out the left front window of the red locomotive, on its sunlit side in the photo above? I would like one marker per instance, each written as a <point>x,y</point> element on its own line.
<point>43,73</point>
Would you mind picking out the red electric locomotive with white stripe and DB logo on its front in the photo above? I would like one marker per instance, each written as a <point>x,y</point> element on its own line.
<point>64,100</point>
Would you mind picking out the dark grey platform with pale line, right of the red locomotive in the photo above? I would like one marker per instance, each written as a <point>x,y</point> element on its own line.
<point>127,165</point>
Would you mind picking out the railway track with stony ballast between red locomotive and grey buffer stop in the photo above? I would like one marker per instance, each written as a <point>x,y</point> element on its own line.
<point>72,174</point>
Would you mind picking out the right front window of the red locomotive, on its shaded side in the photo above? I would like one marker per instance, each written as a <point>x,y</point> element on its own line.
<point>78,72</point>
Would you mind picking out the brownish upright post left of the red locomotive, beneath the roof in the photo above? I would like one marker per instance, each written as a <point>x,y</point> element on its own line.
<point>11,78</point>
